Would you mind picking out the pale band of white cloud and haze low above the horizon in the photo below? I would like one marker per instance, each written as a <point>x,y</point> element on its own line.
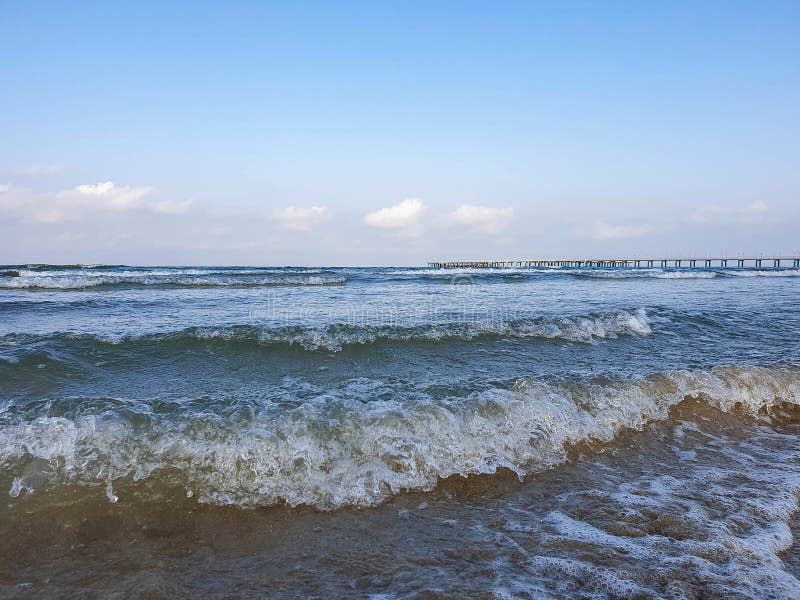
<point>93,217</point>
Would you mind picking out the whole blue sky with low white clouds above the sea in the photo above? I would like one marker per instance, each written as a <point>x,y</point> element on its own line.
<point>393,133</point>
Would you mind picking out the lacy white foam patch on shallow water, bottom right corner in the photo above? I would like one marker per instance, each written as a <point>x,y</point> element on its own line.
<point>710,528</point>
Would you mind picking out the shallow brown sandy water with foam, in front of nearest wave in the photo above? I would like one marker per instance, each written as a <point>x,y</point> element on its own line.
<point>697,506</point>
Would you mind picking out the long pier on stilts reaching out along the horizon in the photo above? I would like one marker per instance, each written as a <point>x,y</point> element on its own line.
<point>722,262</point>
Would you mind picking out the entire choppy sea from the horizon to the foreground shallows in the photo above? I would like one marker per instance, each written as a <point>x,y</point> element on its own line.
<point>295,432</point>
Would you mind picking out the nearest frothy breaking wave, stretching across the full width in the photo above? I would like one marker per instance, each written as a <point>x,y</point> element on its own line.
<point>337,449</point>
